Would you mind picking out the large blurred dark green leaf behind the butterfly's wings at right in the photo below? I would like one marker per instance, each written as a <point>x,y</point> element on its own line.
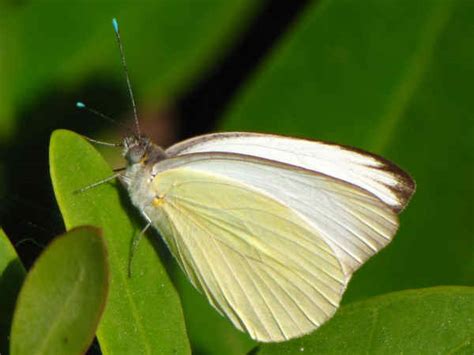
<point>392,77</point>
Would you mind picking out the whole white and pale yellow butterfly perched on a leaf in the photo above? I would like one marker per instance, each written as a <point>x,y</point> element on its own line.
<point>268,228</point>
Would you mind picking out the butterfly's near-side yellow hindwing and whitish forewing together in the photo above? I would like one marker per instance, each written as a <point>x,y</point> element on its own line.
<point>270,245</point>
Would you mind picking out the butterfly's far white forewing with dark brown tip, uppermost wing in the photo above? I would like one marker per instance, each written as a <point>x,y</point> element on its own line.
<point>368,171</point>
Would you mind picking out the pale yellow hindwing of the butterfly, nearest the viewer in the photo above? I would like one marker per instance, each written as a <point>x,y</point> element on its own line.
<point>257,261</point>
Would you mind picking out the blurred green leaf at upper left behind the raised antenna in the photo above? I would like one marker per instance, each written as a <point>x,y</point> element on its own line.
<point>167,44</point>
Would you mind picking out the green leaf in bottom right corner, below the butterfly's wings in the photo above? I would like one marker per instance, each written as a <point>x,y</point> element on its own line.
<point>436,320</point>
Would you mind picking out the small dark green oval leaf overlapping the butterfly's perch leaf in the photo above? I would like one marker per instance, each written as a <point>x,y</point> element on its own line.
<point>63,297</point>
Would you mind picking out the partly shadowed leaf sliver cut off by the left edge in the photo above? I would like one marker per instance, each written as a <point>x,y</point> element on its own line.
<point>12,274</point>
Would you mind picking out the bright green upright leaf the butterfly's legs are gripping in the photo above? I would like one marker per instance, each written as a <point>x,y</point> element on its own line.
<point>143,313</point>
